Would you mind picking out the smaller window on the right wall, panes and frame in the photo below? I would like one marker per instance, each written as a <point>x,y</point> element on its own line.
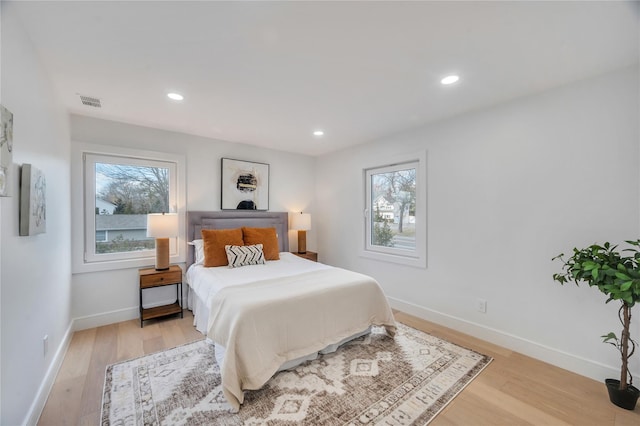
<point>395,217</point>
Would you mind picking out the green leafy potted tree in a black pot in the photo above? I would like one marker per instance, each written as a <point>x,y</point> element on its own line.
<point>618,277</point>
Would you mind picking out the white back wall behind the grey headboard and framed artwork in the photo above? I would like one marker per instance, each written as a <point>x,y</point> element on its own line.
<point>105,297</point>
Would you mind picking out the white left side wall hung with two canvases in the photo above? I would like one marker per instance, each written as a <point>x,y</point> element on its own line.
<point>36,271</point>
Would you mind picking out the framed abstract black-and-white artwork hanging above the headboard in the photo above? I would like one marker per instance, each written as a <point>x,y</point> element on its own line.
<point>244,185</point>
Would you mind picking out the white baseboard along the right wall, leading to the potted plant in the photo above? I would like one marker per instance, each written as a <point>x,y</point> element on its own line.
<point>576,364</point>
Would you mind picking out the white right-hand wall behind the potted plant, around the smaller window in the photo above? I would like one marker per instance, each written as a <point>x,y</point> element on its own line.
<point>508,188</point>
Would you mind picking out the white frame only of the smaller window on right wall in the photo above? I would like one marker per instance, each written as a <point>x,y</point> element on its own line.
<point>417,257</point>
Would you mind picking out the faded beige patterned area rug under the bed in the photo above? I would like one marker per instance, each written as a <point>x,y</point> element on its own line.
<point>373,380</point>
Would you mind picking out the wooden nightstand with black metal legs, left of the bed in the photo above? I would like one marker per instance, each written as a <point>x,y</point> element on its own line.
<point>150,278</point>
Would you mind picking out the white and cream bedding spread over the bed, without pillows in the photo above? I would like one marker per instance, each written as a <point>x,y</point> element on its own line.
<point>284,315</point>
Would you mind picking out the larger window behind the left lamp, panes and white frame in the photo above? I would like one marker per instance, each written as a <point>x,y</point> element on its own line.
<point>118,188</point>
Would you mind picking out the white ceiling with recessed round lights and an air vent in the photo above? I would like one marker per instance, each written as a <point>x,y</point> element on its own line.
<point>270,73</point>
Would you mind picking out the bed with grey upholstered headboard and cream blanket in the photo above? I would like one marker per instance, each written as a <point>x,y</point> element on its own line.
<point>267,317</point>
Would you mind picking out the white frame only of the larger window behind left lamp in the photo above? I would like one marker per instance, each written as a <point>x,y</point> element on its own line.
<point>84,158</point>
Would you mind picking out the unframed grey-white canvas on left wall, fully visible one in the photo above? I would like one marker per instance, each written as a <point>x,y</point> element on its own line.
<point>33,203</point>
